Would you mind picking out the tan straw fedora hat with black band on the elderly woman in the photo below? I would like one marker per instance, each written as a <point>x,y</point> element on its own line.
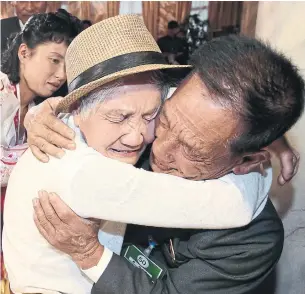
<point>111,49</point>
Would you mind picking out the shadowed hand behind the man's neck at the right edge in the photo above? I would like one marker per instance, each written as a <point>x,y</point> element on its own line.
<point>289,159</point>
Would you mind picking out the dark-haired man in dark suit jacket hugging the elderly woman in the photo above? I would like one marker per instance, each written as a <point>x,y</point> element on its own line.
<point>240,98</point>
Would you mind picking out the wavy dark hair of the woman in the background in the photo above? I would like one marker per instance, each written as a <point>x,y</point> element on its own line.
<point>57,27</point>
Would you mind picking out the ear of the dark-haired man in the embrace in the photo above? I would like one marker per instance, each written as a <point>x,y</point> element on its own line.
<point>252,162</point>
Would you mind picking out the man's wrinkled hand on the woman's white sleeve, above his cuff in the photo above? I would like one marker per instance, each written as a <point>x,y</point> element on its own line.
<point>66,231</point>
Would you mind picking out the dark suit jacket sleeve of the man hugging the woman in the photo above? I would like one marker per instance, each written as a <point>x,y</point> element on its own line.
<point>213,261</point>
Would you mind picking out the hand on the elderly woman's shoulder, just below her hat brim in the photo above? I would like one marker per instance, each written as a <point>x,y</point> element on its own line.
<point>46,133</point>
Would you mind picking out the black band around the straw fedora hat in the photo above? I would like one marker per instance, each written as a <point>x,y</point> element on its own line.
<point>116,64</point>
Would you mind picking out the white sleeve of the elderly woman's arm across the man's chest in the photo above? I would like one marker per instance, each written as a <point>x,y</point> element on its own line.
<point>108,189</point>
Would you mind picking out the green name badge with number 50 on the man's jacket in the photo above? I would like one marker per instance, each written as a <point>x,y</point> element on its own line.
<point>136,257</point>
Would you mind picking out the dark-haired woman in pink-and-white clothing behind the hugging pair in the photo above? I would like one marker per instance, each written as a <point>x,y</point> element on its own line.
<point>33,65</point>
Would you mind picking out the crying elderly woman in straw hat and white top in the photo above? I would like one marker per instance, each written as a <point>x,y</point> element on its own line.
<point>115,95</point>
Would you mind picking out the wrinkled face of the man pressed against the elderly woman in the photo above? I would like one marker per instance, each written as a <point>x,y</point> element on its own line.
<point>192,134</point>
